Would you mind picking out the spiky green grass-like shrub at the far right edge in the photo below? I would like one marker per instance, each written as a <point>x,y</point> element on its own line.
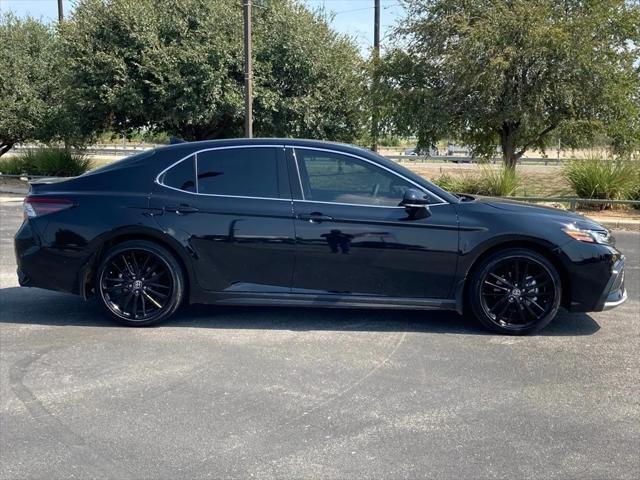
<point>599,178</point>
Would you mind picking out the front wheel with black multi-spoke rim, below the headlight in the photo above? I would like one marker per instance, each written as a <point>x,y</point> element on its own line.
<point>515,292</point>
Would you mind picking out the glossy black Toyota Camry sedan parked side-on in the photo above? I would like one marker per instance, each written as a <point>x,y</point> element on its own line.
<point>306,223</point>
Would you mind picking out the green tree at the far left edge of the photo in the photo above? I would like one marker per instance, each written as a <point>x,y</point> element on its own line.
<point>25,79</point>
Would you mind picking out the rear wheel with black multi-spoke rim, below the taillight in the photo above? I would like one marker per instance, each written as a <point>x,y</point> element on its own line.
<point>139,283</point>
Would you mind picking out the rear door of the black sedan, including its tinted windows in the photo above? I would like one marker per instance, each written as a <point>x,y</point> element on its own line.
<point>231,207</point>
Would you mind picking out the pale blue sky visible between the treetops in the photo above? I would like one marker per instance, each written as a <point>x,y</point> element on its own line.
<point>353,17</point>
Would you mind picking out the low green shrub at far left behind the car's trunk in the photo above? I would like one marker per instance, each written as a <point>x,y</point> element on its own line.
<point>54,162</point>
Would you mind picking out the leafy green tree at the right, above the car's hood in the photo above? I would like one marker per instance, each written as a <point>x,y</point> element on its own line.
<point>508,73</point>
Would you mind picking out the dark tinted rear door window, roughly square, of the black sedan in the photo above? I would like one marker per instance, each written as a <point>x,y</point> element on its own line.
<point>248,172</point>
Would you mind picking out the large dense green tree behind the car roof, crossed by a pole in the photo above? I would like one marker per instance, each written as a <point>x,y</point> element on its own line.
<point>177,66</point>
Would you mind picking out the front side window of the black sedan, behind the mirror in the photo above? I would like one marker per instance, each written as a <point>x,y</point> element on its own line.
<point>332,177</point>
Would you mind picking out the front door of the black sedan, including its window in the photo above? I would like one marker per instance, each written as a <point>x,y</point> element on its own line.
<point>353,238</point>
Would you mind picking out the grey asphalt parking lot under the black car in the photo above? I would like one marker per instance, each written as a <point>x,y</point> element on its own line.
<point>301,393</point>
